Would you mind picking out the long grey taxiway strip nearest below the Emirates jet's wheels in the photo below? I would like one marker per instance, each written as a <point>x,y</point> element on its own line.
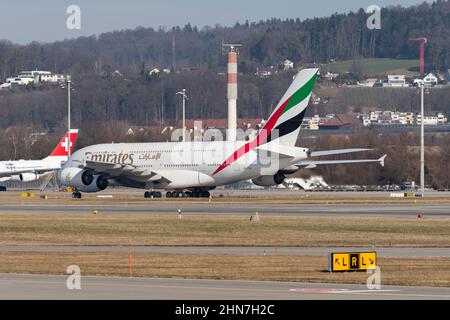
<point>269,209</point>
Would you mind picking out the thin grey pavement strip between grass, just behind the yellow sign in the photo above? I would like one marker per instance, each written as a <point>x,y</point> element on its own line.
<point>318,251</point>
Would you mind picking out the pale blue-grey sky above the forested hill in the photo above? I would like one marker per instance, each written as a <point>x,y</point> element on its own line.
<point>24,21</point>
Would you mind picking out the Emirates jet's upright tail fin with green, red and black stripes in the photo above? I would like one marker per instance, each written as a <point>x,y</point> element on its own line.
<point>285,121</point>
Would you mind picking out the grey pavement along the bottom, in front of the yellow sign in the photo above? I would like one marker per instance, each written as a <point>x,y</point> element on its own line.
<point>15,286</point>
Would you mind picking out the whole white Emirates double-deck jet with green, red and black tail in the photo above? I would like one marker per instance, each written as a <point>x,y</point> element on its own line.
<point>193,168</point>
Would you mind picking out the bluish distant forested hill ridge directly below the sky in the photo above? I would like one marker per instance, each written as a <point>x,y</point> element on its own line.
<point>339,37</point>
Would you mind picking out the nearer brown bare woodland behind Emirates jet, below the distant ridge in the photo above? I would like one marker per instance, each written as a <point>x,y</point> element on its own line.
<point>138,101</point>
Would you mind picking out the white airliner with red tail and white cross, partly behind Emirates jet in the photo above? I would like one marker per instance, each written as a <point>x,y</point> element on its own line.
<point>30,170</point>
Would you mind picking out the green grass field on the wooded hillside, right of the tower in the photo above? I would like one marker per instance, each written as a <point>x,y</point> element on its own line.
<point>374,66</point>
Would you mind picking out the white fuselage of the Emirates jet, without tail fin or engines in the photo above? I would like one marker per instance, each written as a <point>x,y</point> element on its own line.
<point>183,164</point>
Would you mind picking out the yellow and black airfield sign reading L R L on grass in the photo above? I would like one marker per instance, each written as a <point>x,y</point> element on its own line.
<point>352,261</point>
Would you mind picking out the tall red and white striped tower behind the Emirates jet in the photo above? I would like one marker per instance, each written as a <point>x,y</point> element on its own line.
<point>232,94</point>
